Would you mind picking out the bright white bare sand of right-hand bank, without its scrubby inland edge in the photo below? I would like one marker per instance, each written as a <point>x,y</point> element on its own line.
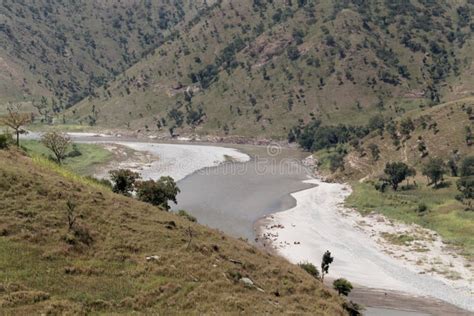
<point>319,222</point>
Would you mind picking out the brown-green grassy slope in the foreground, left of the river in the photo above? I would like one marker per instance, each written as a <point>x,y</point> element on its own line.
<point>100,264</point>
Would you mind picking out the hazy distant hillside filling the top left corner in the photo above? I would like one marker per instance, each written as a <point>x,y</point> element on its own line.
<point>65,49</point>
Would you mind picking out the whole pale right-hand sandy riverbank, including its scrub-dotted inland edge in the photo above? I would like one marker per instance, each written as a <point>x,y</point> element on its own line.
<point>319,222</point>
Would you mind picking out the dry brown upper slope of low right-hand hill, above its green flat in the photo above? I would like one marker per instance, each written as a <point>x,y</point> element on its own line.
<point>440,131</point>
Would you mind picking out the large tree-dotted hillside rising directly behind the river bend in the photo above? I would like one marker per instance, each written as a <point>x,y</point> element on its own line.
<point>252,67</point>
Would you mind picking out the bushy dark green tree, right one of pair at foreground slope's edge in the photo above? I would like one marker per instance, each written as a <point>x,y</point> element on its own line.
<point>158,192</point>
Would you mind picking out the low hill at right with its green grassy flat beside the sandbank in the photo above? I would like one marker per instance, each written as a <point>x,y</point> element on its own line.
<point>443,131</point>
